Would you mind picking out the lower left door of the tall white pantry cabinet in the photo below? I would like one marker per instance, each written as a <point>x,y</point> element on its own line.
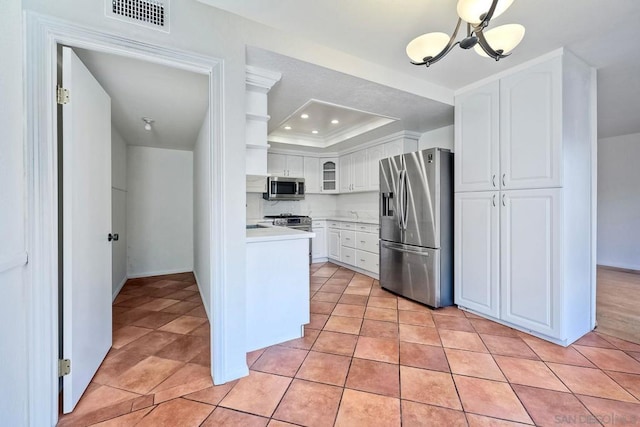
<point>477,260</point>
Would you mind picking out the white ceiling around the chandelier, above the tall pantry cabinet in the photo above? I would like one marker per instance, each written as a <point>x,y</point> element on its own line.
<point>602,33</point>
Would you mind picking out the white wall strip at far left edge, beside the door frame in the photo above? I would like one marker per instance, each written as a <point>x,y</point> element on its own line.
<point>13,304</point>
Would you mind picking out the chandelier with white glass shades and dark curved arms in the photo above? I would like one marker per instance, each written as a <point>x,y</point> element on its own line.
<point>496,43</point>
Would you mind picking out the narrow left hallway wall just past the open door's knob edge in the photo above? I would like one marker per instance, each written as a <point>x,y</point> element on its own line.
<point>118,211</point>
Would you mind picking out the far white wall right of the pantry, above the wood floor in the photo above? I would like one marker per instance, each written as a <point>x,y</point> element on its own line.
<point>619,201</point>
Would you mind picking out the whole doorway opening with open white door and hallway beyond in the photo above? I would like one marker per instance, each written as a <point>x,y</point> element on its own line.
<point>154,122</point>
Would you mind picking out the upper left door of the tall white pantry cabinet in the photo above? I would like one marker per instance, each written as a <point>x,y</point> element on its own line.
<point>477,144</point>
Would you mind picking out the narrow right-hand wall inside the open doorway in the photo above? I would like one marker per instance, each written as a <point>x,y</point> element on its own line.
<point>202,214</point>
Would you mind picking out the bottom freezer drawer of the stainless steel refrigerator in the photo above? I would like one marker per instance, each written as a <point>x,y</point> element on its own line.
<point>414,272</point>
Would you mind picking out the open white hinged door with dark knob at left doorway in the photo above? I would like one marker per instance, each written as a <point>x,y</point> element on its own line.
<point>86,206</point>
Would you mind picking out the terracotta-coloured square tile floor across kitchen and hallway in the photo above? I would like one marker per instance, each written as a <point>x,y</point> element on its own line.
<point>368,358</point>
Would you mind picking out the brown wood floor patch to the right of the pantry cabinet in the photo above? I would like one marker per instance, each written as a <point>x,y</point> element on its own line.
<point>617,303</point>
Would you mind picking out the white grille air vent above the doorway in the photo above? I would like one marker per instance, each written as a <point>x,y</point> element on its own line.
<point>148,13</point>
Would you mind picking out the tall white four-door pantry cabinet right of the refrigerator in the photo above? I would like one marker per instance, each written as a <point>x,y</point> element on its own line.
<point>523,202</point>
